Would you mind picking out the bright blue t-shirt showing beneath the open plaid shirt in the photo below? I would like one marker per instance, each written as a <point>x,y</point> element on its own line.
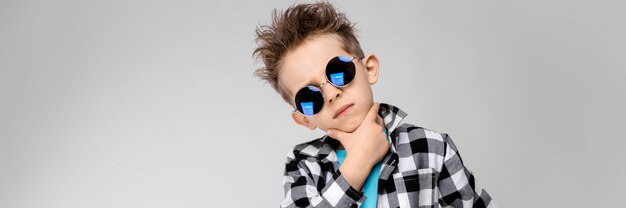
<point>370,187</point>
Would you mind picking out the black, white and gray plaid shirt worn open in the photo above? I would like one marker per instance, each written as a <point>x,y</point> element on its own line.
<point>422,169</point>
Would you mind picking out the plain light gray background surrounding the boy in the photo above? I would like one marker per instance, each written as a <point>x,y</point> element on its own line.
<point>153,103</point>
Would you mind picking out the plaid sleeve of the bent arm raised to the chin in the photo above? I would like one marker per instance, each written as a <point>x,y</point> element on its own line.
<point>301,181</point>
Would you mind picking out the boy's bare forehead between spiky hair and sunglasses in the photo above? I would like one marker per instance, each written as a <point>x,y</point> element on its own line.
<point>306,63</point>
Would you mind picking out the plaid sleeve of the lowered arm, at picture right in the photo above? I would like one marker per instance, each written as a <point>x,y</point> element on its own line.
<point>456,184</point>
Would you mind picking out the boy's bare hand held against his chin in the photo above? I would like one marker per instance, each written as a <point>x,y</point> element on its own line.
<point>368,143</point>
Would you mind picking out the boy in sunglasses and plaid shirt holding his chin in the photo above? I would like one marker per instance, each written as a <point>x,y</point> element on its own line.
<point>367,158</point>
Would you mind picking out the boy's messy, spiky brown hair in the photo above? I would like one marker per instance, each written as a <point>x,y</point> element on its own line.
<point>293,26</point>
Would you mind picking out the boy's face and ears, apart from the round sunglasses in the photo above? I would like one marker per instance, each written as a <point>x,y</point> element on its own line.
<point>306,65</point>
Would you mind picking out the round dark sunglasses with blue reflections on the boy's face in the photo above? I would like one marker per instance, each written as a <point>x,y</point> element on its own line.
<point>340,71</point>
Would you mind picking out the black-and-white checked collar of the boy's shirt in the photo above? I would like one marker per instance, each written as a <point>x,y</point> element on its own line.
<point>392,116</point>
